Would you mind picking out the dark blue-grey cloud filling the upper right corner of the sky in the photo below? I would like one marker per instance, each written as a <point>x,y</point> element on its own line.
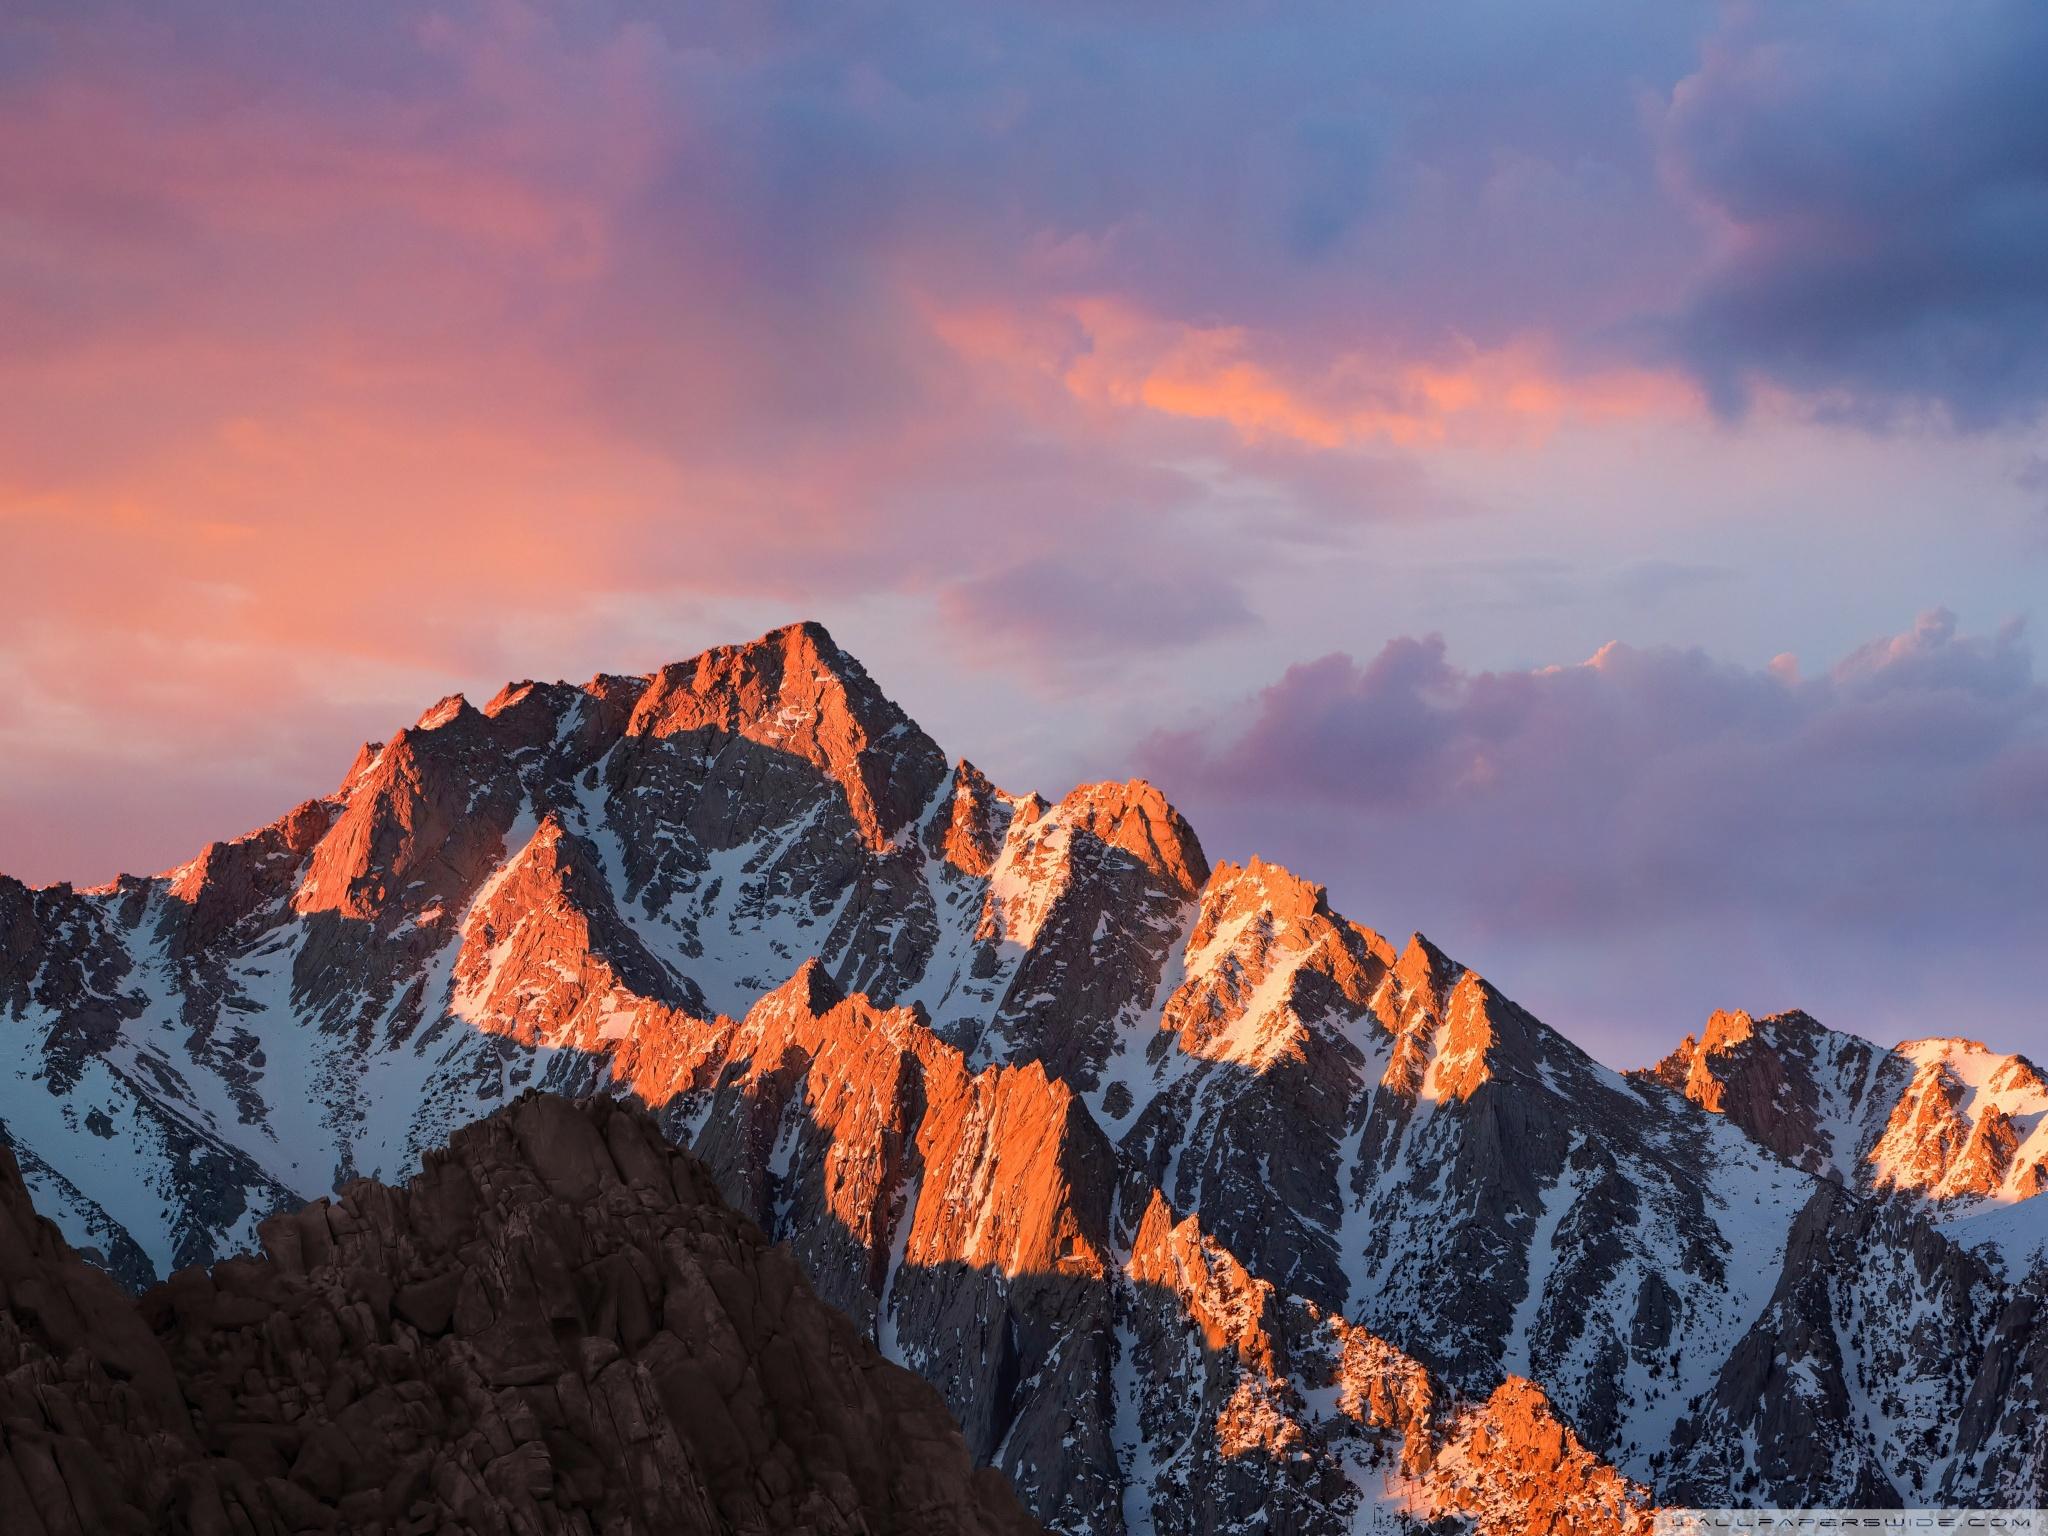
<point>1883,179</point>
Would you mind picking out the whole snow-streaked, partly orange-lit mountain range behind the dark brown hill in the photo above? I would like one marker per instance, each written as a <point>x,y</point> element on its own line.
<point>1193,1197</point>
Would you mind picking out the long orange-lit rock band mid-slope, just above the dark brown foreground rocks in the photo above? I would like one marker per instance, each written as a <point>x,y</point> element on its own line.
<point>869,1093</point>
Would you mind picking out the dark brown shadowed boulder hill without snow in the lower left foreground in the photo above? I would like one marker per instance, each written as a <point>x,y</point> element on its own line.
<point>556,1328</point>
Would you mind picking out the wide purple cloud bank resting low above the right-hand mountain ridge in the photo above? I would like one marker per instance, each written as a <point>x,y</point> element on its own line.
<point>1656,824</point>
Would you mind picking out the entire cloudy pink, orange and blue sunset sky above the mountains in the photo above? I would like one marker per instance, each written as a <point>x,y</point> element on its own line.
<point>1568,478</point>
